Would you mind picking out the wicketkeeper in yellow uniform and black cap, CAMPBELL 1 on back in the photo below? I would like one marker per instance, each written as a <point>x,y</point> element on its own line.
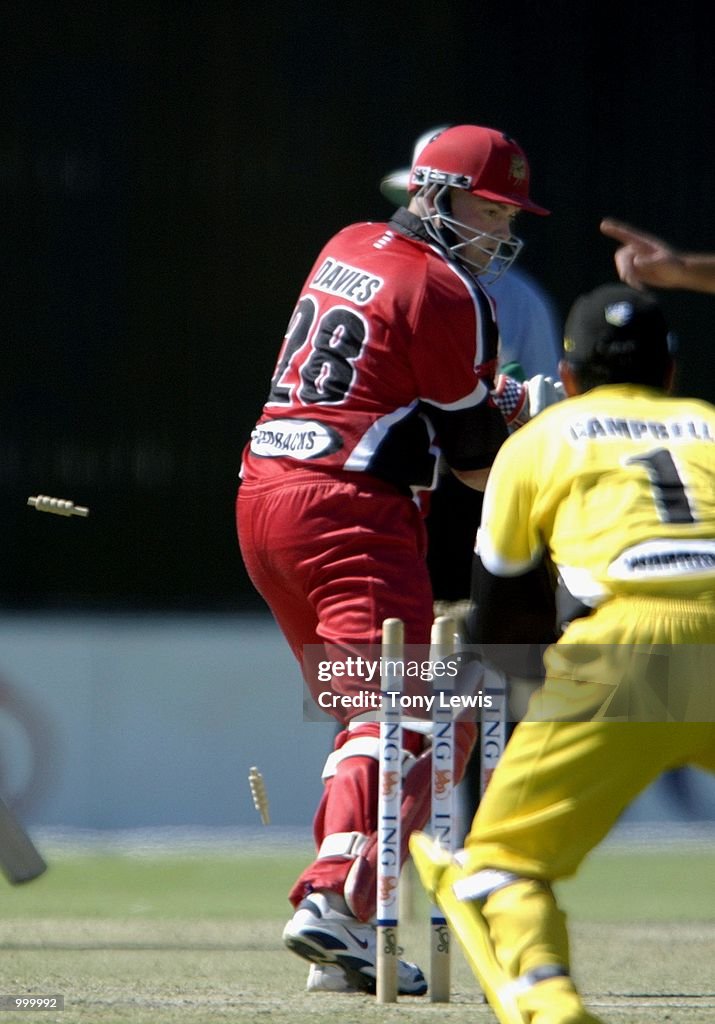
<point>615,488</point>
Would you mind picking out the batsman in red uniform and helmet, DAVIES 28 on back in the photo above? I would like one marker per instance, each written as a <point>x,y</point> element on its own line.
<point>389,363</point>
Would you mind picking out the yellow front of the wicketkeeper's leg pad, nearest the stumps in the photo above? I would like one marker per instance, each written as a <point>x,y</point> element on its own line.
<point>438,873</point>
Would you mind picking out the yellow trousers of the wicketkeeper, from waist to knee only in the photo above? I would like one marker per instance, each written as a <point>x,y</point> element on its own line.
<point>562,786</point>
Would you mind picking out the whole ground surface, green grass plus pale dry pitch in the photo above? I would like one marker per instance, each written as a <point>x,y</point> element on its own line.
<point>196,938</point>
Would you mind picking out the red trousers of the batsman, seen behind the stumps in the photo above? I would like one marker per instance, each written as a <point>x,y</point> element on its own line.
<point>334,556</point>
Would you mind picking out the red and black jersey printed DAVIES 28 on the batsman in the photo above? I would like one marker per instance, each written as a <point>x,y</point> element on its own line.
<point>389,359</point>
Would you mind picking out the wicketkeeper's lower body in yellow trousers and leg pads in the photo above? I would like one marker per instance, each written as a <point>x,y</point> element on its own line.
<point>635,687</point>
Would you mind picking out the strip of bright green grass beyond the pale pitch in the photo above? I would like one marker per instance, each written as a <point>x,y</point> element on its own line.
<point>611,887</point>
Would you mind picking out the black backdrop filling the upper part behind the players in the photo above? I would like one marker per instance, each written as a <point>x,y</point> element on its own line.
<point>167,179</point>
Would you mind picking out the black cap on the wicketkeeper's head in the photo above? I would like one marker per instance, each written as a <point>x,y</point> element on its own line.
<point>617,325</point>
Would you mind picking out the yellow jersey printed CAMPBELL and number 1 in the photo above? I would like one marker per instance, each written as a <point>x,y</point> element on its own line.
<point>618,487</point>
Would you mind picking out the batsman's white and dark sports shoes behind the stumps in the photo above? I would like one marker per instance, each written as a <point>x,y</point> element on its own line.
<point>326,936</point>
